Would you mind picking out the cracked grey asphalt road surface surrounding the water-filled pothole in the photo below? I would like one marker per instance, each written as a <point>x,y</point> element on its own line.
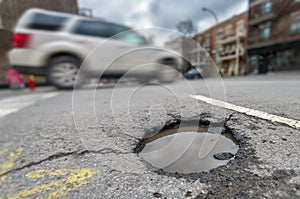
<point>84,143</point>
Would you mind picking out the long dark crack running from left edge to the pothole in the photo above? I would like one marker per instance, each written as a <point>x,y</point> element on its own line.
<point>103,151</point>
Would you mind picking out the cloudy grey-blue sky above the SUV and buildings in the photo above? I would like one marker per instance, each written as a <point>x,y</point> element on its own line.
<point>164,13</point>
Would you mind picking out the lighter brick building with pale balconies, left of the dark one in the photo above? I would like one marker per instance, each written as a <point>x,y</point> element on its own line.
<point>226,44</point>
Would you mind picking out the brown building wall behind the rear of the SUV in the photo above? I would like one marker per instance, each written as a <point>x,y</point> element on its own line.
<point>10,11</point>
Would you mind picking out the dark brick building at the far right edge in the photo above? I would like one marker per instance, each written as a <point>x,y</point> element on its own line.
<point>274,35</point>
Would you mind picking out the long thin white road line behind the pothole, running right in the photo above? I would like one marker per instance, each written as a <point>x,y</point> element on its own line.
<point>248,111</point>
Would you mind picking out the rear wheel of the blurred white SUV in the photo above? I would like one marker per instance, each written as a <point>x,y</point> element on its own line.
<point>62,72</point>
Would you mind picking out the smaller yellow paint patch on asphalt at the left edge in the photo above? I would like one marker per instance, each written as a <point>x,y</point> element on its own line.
<point>5,166</point>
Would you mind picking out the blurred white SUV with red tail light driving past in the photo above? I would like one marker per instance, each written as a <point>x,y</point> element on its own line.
<point>55,45</point>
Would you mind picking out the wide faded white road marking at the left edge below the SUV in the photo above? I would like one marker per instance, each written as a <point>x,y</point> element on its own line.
<point>14,104</point>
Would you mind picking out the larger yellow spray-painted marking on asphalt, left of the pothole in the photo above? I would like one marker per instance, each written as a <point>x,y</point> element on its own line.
<point>58,188</point>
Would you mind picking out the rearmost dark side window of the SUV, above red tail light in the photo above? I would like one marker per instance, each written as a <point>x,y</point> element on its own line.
<point>41,21</point>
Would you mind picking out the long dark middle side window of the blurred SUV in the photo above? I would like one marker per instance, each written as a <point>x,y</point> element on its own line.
<point>98,29</point>
